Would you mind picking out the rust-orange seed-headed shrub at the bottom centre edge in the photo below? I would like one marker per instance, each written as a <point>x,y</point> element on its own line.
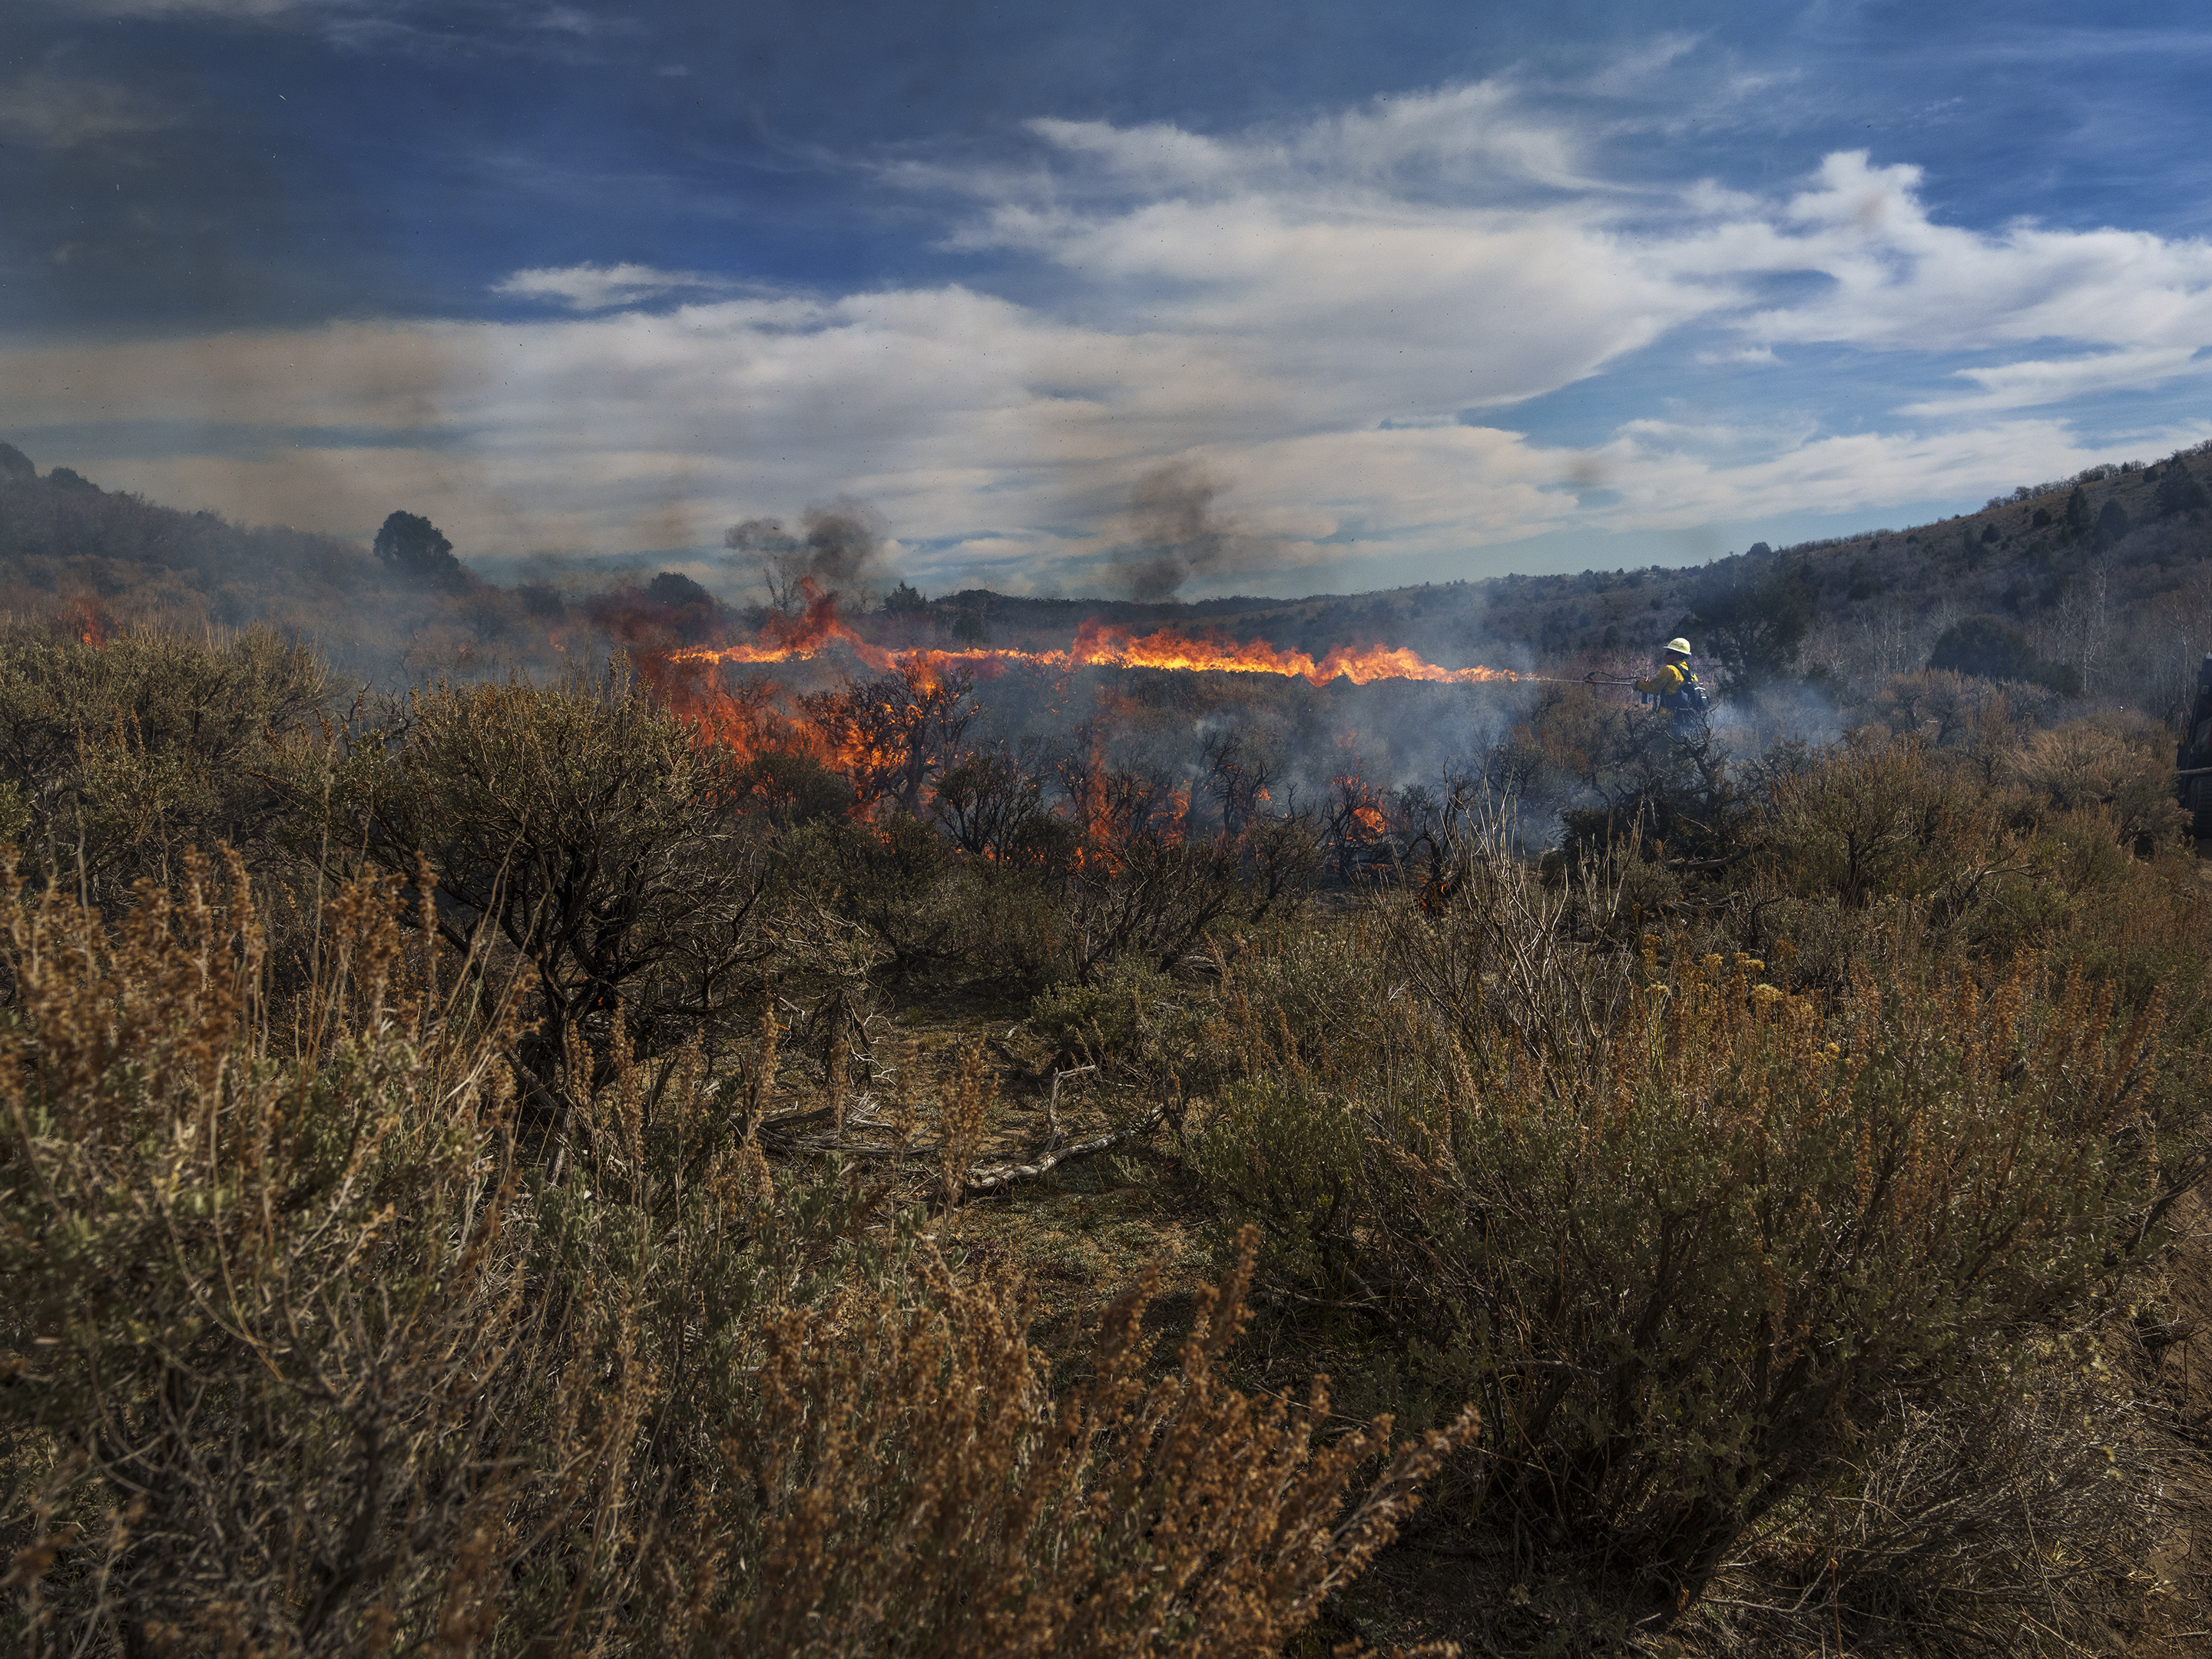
<point>1165,1521</point>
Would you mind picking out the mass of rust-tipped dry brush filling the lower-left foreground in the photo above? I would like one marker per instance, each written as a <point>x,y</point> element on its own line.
<point>300,1357</point>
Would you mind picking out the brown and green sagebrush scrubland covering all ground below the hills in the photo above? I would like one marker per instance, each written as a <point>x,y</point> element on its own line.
<point>627,1162</point>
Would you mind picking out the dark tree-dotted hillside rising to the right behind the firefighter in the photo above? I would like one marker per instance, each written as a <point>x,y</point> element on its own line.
<point>2118,594</point>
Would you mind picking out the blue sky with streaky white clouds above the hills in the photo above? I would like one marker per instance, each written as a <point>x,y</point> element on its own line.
<point>1415,291</point>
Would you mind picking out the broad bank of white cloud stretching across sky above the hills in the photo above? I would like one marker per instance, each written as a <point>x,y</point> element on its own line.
<point>1315,313</point>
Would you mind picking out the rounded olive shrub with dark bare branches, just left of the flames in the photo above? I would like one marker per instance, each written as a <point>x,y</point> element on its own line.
<point>589,835</point>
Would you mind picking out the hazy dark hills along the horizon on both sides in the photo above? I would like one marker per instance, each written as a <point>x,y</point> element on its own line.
<point>2105,576</point>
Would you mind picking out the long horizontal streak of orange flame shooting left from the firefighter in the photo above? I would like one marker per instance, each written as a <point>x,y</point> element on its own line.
<point>1098,645</point>
